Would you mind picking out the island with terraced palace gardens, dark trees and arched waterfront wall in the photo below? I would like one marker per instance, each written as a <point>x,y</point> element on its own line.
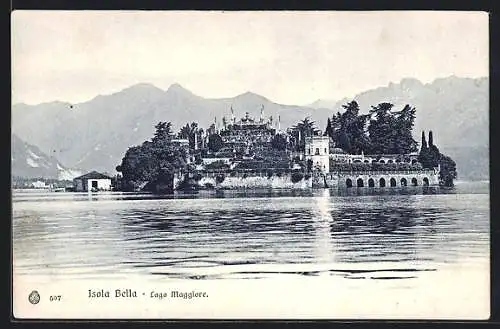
<point>374,150</point>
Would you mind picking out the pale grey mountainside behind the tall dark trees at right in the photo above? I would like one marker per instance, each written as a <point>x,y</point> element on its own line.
<point>455,109</point>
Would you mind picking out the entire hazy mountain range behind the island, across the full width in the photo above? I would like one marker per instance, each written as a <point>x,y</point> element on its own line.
<point>94,135</point>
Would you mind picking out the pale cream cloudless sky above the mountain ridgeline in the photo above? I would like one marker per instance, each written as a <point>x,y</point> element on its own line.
<point>288,57</point>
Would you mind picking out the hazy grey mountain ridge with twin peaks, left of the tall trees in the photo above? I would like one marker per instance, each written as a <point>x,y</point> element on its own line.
<point>95,135</point>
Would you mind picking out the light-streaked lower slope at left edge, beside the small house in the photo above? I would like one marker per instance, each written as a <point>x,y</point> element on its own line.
<point>29,162</point>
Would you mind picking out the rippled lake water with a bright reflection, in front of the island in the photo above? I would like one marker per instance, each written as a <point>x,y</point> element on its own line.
<point>357,236</point>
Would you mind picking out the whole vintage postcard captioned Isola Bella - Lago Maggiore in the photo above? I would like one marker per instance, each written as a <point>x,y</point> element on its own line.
<point>250,165</point>
